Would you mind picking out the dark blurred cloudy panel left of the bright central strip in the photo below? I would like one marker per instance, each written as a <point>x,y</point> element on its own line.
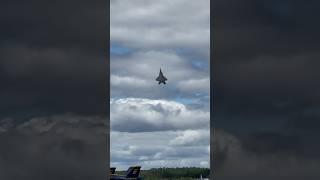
<point>53,61</point>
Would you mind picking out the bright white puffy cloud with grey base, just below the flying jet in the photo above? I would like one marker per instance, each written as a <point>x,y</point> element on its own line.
<point>138,115</point>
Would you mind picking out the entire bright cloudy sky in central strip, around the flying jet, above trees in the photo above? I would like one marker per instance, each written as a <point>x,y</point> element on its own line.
<point>160,125</point>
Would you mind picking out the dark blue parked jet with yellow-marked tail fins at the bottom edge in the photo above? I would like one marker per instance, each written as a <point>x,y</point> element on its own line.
<point>132,174</point>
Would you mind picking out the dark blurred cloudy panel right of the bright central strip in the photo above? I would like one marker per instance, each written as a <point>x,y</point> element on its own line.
<point>266,88</point>
